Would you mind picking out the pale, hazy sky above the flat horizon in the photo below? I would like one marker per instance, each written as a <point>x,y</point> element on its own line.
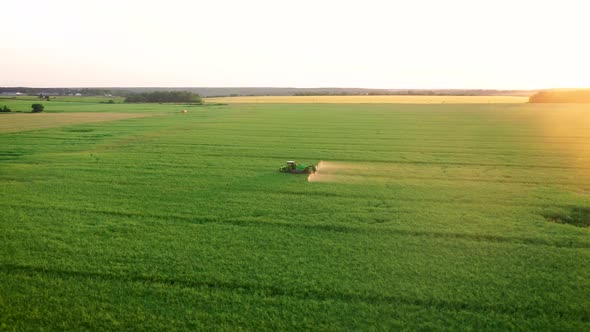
<point>420,44</point>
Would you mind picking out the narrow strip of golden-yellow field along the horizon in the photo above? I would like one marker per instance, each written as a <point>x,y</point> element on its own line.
<point>372,99</point>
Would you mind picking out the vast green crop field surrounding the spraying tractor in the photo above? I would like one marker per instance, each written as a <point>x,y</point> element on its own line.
<point>422,217</point>
